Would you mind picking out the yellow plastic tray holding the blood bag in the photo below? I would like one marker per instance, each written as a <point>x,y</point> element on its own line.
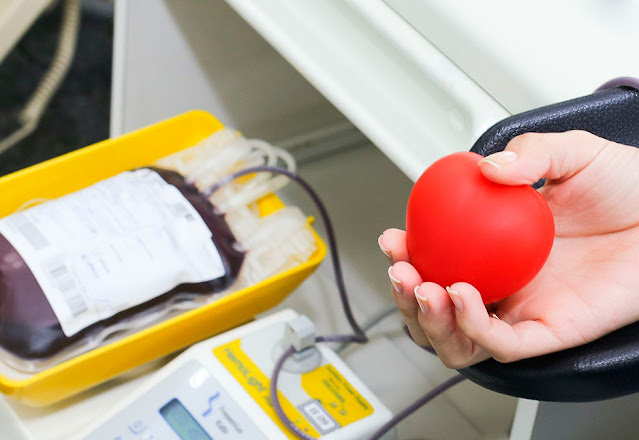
<point>84,167</point>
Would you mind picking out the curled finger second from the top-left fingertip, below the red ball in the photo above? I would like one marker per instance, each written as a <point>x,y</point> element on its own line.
<point>404,278</point>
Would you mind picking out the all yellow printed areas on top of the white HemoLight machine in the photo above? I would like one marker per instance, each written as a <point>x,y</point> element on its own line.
<point>332,401</point>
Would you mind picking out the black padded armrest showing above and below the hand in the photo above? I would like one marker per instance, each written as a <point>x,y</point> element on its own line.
<point>609,366</point>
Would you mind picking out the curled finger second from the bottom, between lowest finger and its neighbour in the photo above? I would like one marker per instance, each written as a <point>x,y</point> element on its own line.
<point>437,318</point>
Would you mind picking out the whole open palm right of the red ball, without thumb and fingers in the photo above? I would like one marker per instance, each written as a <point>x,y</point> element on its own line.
<point>588,285</point>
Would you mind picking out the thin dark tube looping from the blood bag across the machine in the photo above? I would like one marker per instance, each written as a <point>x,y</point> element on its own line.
<point>358,337</point>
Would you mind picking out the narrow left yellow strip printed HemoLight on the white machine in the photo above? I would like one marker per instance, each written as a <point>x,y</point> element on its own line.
<point>255,382</point>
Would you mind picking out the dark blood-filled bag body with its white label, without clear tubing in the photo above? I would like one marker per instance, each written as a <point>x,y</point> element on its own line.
<point>74,266</point>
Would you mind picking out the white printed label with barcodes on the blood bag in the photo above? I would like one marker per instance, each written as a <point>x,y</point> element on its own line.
<point>112,246</point>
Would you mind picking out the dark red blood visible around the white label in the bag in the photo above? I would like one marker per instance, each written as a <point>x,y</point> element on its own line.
<point>30,329</point>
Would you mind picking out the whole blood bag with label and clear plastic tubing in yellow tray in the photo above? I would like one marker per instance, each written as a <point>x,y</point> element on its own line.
<point>141,247</point>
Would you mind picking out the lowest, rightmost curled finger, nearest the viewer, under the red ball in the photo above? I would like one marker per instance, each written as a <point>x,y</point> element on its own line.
<point>501,340</point>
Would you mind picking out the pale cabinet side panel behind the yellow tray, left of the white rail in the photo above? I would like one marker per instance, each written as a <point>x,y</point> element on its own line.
<point>173,55</point>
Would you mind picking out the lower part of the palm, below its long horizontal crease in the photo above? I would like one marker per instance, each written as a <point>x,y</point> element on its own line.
<point>583,292</point>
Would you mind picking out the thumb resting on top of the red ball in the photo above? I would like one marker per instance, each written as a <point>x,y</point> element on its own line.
<point>532,156</point>
